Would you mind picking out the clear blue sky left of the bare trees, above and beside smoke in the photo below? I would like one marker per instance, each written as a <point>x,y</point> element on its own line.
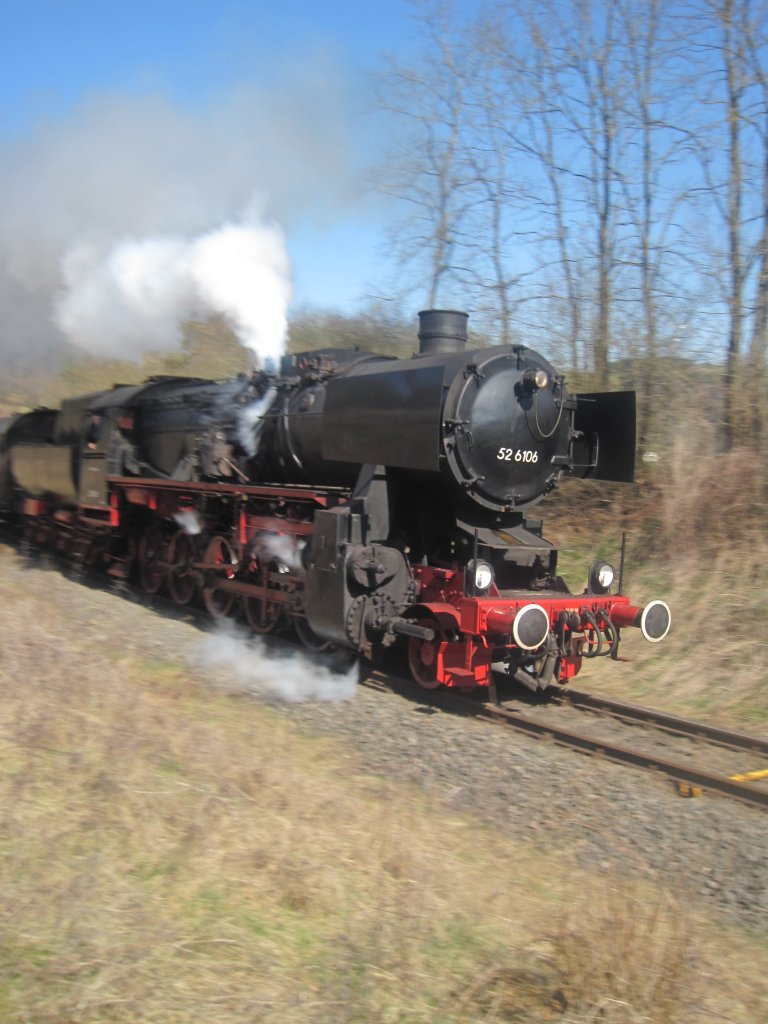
<point>58,58</point>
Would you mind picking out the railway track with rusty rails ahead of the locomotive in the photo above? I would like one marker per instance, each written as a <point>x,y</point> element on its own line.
<point>713,760</point>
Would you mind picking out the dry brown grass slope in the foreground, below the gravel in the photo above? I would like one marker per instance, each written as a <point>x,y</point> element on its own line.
<point>169,855</point>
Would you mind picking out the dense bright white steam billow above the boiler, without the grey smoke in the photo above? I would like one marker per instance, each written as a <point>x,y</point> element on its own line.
<point>132,297</point>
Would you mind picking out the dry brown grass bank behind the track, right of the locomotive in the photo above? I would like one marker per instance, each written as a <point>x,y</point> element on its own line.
<point>698,538</point>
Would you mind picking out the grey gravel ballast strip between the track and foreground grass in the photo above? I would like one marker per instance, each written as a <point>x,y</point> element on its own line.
<point>609,818</point>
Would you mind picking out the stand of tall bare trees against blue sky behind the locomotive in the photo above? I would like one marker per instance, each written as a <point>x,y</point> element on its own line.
<point>599,174</point>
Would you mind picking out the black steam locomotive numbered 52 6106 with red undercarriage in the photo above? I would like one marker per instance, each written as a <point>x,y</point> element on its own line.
<point>358,498</point>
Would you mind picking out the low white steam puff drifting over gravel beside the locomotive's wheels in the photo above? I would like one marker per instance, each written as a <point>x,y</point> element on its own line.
<point>243,666</point>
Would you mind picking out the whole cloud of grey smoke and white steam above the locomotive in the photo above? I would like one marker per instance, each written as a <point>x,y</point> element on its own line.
<point>134,215</point>
